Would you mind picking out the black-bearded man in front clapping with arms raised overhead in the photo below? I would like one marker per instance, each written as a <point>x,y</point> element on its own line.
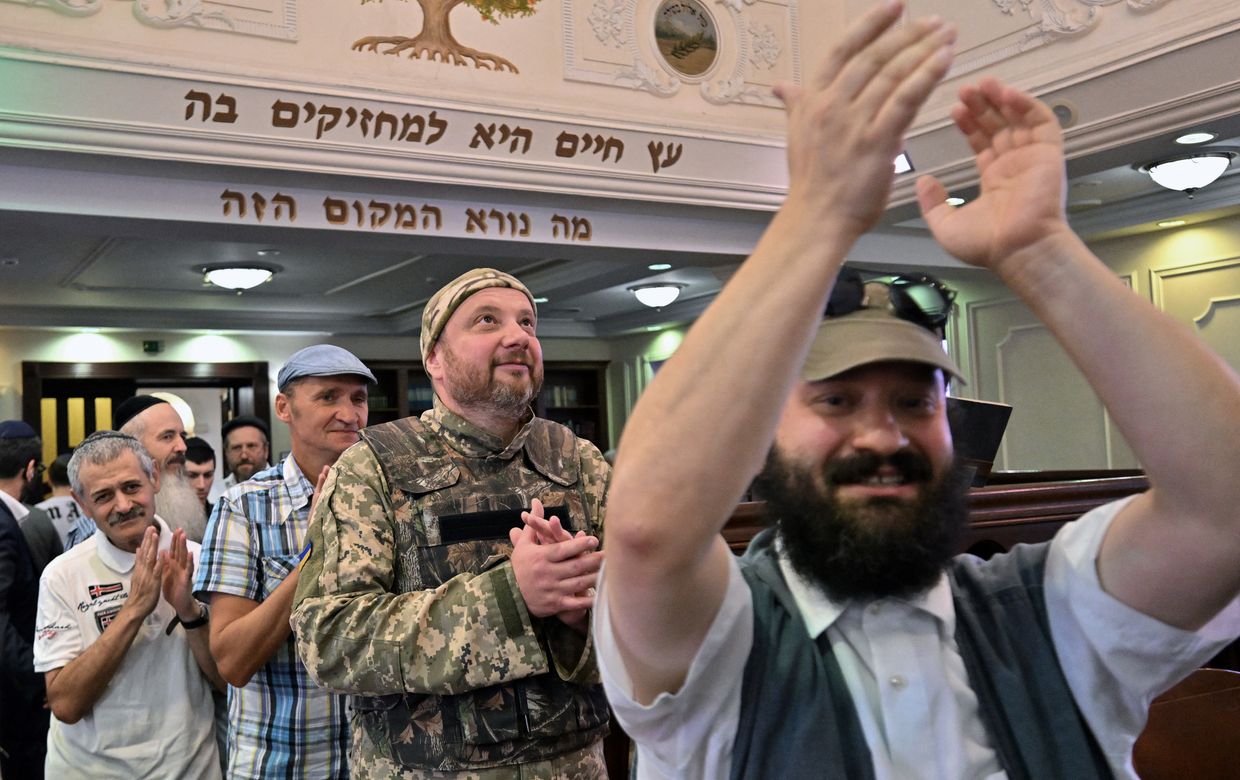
<point>849,642</point>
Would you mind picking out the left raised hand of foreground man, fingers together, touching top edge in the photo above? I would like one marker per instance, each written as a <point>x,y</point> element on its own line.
<point>846,125</point>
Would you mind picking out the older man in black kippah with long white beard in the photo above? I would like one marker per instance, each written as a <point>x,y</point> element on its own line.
<point>162,432</point>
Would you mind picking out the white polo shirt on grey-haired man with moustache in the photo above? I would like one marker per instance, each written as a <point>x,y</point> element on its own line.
<point>156,720</point>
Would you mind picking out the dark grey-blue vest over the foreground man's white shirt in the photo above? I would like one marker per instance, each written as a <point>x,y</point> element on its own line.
<point>798,719</point>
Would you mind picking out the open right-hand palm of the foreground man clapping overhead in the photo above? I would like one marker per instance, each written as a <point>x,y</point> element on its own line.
<point>1020,157</point>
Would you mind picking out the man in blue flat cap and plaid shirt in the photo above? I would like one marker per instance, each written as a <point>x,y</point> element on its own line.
<point>281,725</point>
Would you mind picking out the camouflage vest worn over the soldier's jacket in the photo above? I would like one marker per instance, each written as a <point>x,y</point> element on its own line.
<point>461,507</point>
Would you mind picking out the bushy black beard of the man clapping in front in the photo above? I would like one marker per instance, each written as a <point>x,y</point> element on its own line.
<point>885,547</point>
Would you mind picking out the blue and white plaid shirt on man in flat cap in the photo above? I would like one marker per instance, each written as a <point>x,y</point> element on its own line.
<point>281,725</point>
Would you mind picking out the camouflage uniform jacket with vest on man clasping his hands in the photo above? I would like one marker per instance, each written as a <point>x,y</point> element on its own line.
<point>423,623</point>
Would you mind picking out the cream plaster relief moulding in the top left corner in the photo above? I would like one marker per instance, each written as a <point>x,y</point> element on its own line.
<point>193,14</point>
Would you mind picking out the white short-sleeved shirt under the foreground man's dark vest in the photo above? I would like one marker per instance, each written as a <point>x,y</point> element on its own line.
<point>906,675</point>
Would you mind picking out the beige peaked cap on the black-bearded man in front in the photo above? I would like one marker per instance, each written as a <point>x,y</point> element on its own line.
<point>874,334</point>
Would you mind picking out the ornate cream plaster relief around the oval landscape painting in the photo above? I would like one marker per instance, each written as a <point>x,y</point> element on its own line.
<point>616,23</point>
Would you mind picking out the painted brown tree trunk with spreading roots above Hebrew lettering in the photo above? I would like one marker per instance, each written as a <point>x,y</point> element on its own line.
<point>436,39</point>
